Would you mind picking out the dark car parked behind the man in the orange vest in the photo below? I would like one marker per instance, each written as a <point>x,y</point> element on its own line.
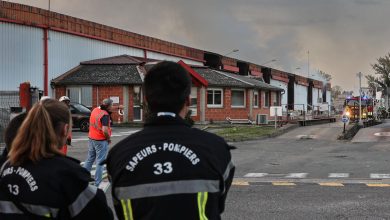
<point>80,116</point>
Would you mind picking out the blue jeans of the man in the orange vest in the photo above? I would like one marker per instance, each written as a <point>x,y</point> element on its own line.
<point>96,150</point>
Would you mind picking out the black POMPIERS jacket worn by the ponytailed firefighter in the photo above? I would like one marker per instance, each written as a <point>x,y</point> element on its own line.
<point>53,188</point>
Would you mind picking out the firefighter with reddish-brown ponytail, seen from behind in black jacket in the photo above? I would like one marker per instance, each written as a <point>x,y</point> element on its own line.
<point>38,181</point>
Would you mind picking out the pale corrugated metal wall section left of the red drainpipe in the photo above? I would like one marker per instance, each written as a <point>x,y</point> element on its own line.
<point>21,56</point>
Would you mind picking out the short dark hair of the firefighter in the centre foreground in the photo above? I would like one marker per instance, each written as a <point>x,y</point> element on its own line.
<point>167,86</point>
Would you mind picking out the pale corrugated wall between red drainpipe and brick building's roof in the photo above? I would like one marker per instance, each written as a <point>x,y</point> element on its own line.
<point>66,51</point>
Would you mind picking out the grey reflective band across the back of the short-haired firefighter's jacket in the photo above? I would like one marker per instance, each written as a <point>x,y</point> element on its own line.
<point>167,188</point>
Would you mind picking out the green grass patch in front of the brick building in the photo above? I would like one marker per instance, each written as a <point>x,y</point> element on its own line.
<point>244,133</point>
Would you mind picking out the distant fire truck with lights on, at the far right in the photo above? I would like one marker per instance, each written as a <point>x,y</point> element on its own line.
<point>351,108</point>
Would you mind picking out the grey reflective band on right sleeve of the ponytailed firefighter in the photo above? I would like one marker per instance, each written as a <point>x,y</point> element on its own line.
<point>82,200</point>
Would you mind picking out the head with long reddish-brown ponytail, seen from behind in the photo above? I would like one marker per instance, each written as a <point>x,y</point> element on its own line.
<point>43,132</point>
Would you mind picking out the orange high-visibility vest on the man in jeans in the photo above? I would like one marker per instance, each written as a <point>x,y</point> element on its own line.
<point>95,125</point>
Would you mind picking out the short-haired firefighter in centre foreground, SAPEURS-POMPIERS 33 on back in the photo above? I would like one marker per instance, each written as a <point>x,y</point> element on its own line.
<point>169,170</point>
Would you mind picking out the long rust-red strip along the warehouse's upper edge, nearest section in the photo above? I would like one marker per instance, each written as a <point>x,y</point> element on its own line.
<point>42,18</point>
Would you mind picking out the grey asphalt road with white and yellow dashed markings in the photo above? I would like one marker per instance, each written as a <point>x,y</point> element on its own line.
<point>304,174</point>
